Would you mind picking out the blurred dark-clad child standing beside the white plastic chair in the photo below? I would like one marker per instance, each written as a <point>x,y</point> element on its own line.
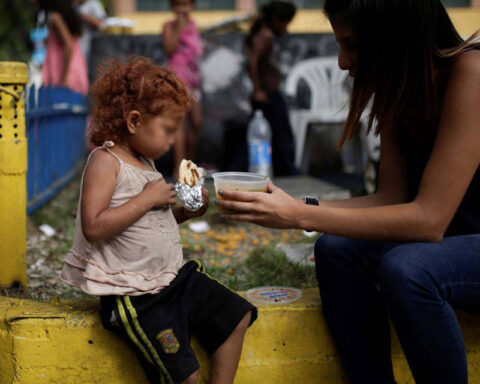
<point>266,78</point>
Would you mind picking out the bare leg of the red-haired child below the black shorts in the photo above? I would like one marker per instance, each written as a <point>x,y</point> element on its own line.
<point>226,357</point>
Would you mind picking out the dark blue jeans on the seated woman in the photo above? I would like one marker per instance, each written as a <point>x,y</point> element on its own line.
<point>363,284</point>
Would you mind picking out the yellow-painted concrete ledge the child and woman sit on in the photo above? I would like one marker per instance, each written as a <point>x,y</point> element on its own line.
<point>63,342</point>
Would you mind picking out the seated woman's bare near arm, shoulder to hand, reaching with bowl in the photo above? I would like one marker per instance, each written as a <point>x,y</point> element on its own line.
<point>454,160</point>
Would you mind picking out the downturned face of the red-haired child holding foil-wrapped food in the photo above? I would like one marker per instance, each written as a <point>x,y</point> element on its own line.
<point>156,134</point>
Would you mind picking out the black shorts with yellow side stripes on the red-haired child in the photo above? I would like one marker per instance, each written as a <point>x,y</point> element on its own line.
<point>159,326</point>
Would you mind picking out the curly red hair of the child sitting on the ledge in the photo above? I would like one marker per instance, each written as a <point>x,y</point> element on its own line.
<point>137,84</point>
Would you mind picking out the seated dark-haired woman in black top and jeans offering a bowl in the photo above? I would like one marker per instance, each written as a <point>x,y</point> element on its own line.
<point>411,251</point>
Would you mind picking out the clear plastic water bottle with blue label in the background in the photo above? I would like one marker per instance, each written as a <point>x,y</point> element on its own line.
<point>259,136</point>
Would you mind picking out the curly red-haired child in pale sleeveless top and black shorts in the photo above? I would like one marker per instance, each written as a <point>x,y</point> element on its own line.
<point>127,247</point>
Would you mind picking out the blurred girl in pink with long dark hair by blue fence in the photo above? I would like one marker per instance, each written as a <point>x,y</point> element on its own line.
<point>65,63</point>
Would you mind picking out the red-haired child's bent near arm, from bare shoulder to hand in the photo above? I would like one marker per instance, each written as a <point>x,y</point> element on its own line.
<point>99,222</point>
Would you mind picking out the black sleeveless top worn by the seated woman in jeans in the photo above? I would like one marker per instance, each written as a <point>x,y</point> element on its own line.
<point>416,148</point>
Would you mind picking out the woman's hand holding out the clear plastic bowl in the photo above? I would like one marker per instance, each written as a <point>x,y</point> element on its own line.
<point>274,209</point>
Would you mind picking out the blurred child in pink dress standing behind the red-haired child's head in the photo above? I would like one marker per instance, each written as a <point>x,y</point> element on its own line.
<point>183,45</point>
